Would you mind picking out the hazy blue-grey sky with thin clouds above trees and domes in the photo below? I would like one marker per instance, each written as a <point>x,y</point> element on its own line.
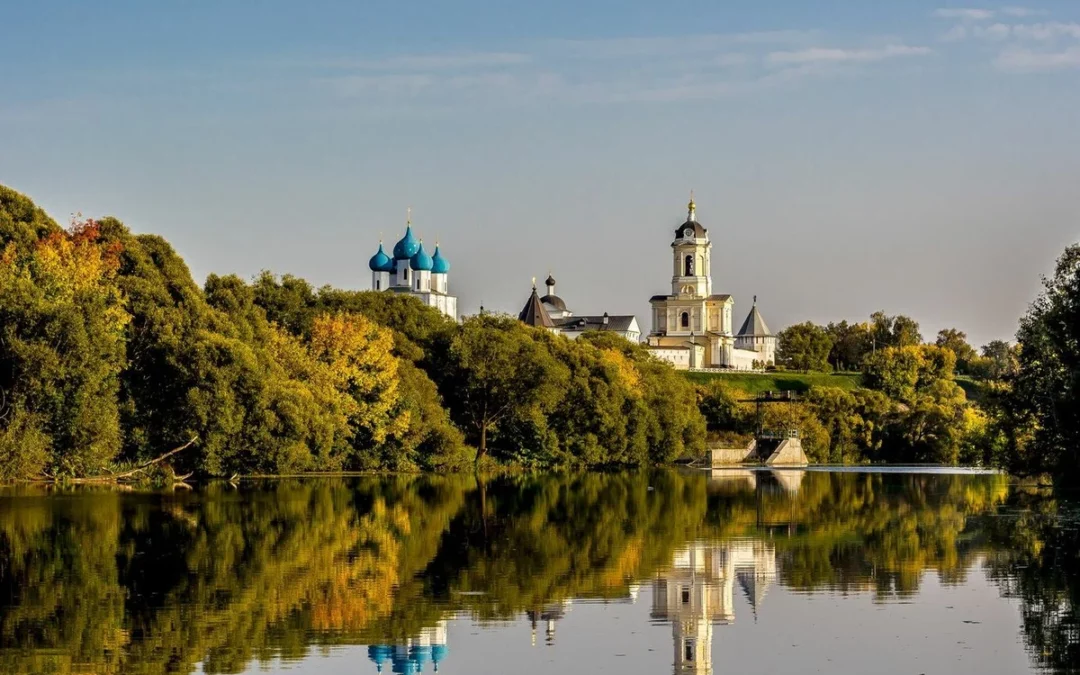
<point>847,156</point>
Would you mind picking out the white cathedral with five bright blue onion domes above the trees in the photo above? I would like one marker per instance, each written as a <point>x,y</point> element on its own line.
<point>414,273</point>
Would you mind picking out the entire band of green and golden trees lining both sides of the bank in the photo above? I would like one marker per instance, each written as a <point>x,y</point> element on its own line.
<point>112,355</point>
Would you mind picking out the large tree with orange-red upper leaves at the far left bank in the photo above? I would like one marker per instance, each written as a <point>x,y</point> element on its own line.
<point>62,352</point>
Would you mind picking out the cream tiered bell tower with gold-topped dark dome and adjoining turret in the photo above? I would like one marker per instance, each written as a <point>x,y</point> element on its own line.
<point>692,328</point>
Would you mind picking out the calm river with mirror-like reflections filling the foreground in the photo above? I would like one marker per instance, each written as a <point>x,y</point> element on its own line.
<point>651,573</point>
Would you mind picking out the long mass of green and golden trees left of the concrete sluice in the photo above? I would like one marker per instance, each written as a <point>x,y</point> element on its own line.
<point>112,355</point>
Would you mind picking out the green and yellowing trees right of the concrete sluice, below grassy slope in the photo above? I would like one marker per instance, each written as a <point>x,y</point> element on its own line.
<point>1023,413</point>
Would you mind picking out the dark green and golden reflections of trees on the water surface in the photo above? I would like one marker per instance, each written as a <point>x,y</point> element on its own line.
<point>111,583</point>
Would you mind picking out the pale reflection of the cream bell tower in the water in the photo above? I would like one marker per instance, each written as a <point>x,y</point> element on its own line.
<point>698,593</point>
